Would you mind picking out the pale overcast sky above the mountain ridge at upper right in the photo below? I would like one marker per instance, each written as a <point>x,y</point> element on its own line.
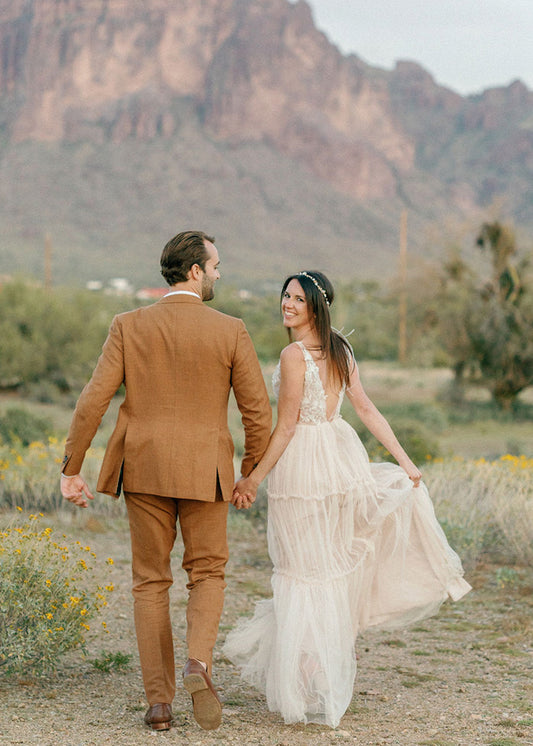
<point>467,45</point>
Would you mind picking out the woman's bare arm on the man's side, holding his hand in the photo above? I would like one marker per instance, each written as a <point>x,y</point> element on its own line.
<point>292,373</point>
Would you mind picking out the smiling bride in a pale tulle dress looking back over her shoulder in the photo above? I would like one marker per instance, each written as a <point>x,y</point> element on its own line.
<point>353,544</point>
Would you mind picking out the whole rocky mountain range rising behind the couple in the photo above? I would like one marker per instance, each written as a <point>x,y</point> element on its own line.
<point>124,122</point>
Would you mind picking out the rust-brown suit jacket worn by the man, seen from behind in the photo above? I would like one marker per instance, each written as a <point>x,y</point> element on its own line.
<point>178,360</point>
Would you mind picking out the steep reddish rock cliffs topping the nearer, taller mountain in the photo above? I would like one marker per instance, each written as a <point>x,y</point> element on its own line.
<point>257,70</point>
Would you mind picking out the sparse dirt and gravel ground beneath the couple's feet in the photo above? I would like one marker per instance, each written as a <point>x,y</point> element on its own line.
<point>462,678</point>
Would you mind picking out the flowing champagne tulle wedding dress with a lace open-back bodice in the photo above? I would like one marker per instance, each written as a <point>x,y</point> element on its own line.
<point>353,545</point>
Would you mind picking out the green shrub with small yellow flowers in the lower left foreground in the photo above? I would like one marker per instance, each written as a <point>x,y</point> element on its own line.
<point>48,595</point>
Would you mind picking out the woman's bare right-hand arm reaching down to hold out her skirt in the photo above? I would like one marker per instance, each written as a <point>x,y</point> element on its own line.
<point>372,418</point>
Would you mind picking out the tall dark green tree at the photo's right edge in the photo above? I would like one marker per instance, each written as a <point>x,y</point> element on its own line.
<point>485,316</point>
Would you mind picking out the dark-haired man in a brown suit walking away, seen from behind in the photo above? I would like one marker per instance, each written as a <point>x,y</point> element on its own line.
<point>172,454</point>
